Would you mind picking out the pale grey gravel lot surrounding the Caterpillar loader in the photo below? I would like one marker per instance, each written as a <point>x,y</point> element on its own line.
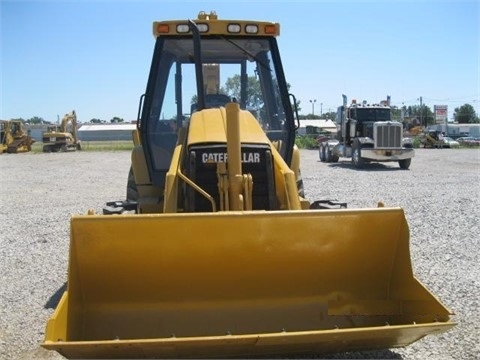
<point>440,195</point>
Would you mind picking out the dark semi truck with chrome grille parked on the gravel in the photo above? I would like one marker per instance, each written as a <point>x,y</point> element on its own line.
<point>366,133</point>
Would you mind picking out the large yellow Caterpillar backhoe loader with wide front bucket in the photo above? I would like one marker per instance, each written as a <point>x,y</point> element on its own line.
<point>217,253</point>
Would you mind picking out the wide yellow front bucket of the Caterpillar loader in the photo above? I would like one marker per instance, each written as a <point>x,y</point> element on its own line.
<point>240,284</point>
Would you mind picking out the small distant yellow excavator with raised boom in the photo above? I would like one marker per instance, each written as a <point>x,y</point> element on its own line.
<point>63,137</point>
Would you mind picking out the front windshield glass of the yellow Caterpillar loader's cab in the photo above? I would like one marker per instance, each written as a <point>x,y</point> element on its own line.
<point>245,70</point>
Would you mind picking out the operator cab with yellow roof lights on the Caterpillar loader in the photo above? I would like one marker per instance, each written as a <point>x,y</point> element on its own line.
<point>206,64</point>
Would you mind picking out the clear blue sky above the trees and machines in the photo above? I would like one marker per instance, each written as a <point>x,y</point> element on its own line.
<point>94,56</point>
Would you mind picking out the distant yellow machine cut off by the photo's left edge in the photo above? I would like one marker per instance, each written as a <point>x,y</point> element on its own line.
<point>14,138</point>
